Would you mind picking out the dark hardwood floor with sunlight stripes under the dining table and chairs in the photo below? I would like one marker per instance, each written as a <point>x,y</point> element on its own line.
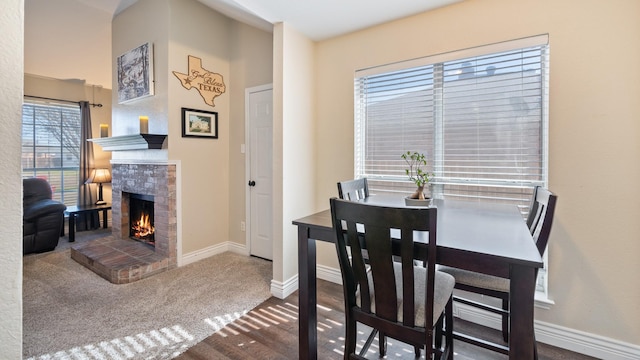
<point>270,331</point>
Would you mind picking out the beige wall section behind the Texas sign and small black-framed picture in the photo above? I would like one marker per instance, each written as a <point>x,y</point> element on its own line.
<point>205,162</point>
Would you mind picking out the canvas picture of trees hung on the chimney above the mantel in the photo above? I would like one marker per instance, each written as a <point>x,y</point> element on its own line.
<point>135,73</point>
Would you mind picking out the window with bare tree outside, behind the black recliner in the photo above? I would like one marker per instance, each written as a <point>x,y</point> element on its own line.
<point>51,147</point>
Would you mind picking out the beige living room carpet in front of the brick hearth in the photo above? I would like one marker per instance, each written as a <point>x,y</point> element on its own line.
<point>72,313</point>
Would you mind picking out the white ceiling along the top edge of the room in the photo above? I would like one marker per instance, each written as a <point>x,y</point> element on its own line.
<point>317,19</point>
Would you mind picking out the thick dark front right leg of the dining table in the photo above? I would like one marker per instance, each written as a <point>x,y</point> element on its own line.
<point>522,292</point>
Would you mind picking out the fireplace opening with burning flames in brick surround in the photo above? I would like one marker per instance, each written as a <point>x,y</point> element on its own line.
<point>141,218</point>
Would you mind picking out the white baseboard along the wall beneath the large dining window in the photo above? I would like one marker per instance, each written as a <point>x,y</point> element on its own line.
<point>566,338</point>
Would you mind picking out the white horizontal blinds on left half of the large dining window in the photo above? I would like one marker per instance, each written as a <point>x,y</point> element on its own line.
<point>395,113</point>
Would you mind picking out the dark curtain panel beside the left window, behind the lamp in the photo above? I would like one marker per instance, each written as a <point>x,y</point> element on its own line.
<point>87,193</point>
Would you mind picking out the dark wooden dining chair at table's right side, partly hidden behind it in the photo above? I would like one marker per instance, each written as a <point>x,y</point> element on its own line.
<point>539,221</point>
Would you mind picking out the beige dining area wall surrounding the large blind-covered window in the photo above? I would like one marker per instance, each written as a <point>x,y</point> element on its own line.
<point>594,136</point>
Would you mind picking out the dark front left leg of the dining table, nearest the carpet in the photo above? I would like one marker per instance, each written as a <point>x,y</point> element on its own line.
<point>307,297</point>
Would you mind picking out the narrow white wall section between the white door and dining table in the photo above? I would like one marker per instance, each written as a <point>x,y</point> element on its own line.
<point>294,144</point>
